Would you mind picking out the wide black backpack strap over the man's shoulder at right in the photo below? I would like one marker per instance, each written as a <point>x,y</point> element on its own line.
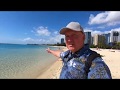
<point>90,58</point>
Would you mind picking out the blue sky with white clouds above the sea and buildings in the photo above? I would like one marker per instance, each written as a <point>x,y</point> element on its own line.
<point>42,27</point>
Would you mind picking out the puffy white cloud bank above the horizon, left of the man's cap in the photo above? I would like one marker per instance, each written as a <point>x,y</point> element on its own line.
<point>53,37</point>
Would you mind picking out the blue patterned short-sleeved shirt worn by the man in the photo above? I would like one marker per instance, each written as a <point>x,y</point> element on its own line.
<point>74,64</point>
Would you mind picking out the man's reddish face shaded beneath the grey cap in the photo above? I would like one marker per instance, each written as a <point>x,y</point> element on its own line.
<point>74,40</point>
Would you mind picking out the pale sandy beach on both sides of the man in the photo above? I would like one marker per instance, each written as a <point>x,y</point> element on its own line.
<point>111,58</point>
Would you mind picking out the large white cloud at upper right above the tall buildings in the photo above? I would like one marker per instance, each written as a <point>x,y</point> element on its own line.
<point>109,17</point>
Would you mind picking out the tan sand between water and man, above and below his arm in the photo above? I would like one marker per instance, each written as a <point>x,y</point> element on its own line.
<point>53,70</point>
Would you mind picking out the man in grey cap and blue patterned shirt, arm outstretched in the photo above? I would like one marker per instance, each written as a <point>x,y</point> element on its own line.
<point>77,55</point>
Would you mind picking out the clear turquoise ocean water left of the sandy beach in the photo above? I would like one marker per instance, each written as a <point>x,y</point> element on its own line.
<point>24,61</point>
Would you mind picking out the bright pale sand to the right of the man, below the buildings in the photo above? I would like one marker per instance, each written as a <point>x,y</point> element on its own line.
<point>112,59</point>
